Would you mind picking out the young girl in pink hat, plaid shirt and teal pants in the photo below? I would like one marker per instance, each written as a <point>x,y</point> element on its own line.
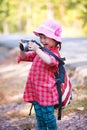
<point>41,87</point>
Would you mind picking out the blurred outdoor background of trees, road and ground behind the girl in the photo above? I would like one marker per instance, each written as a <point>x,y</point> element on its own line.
<point>18,19</point>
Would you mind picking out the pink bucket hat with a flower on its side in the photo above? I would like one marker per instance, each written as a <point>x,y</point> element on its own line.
<point>51,29</point>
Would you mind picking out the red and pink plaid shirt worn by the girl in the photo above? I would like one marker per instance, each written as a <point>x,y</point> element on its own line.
<point>40,85</point>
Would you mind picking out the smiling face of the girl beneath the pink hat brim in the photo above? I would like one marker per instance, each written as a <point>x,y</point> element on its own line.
<point>46,41</point>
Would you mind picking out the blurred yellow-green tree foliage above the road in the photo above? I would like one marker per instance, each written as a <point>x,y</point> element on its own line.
<point>24,15</point>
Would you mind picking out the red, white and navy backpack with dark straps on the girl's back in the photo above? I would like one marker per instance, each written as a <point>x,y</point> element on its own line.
<point>63,83</point>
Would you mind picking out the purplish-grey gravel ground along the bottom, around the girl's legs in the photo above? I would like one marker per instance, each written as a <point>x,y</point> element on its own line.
<point>74,121</point>
